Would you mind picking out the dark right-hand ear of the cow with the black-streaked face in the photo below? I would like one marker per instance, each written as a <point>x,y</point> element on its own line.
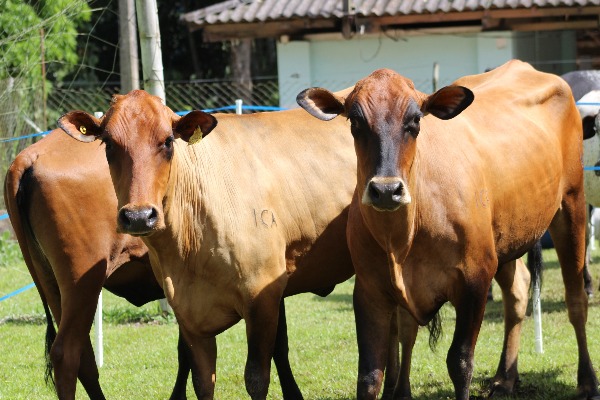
<point>448,102</point>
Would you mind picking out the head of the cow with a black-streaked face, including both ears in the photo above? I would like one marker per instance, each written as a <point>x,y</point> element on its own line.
<point>385,112</point>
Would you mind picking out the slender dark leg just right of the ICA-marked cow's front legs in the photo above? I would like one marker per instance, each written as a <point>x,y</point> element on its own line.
<point>289,387</point>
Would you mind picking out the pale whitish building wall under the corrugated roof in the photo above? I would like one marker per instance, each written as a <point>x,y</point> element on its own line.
<point>336,64</point>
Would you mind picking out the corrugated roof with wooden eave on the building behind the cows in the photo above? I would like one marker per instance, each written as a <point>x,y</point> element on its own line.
<point>268,18</point>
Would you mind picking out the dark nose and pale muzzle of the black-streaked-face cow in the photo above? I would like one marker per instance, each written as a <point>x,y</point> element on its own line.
<point>386,194</point>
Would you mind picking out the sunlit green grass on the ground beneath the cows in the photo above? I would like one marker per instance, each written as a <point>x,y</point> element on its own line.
<point>140,358</point>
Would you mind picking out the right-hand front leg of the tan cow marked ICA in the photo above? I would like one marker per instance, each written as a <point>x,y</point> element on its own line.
<point>261,332</point>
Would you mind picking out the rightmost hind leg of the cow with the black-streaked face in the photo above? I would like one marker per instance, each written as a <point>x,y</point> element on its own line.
<point>568,234</point>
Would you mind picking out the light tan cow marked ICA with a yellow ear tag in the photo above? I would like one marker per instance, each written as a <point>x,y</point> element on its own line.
<point>233,223</point>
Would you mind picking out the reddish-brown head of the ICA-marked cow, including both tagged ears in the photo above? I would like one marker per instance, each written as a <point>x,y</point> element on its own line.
<point>138,132</point>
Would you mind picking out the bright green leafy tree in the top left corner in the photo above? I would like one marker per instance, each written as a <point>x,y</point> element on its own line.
<point>38,45</point>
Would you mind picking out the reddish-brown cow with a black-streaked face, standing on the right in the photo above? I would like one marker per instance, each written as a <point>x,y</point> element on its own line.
<point>441,202</point>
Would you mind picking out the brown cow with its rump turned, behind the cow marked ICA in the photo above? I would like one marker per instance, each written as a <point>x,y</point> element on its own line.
<point>62,205</point>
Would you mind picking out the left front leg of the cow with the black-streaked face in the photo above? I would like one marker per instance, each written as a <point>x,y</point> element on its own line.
<point>373,315</point>
